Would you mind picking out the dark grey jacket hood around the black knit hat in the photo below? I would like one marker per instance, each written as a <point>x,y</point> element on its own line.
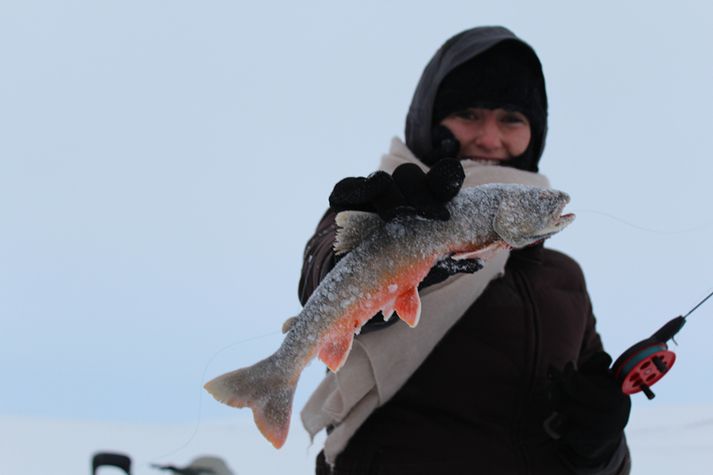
<point>454,52</point>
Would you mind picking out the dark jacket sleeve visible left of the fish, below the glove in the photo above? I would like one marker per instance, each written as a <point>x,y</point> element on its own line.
<point>318,258</point>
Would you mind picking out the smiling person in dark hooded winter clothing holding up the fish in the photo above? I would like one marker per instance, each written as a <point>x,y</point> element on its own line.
<point>505,373</point>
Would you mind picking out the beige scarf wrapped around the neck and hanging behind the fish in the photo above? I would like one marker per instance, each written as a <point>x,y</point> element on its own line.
<point>380,362</point>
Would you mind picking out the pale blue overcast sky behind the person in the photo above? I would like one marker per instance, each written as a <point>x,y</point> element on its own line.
<point>162,164</point>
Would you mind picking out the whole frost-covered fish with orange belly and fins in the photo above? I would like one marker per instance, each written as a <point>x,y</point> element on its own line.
<point>382,272</point>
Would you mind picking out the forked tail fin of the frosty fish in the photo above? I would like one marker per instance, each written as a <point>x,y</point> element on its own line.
<point>266,389</point>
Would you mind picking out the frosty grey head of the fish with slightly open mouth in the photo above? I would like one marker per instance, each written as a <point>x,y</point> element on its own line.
<point>528,214</point>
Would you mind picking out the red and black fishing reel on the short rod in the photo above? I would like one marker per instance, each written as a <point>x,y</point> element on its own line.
<point>645,363</point>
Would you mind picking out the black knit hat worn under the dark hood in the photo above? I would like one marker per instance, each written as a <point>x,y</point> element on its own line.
<point>504,76</point>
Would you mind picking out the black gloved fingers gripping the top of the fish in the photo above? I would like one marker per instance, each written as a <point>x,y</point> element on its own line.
<point>408,191</point>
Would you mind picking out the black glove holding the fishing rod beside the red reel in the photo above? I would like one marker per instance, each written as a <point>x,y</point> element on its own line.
<point>590,411</point>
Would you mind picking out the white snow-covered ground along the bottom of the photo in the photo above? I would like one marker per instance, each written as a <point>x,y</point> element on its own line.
<point>663,440</point>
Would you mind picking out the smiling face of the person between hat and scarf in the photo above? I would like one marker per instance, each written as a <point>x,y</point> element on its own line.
<point>489,134</point>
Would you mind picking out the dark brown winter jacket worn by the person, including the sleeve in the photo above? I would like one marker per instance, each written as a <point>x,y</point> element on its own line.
<point>479,398</point>
